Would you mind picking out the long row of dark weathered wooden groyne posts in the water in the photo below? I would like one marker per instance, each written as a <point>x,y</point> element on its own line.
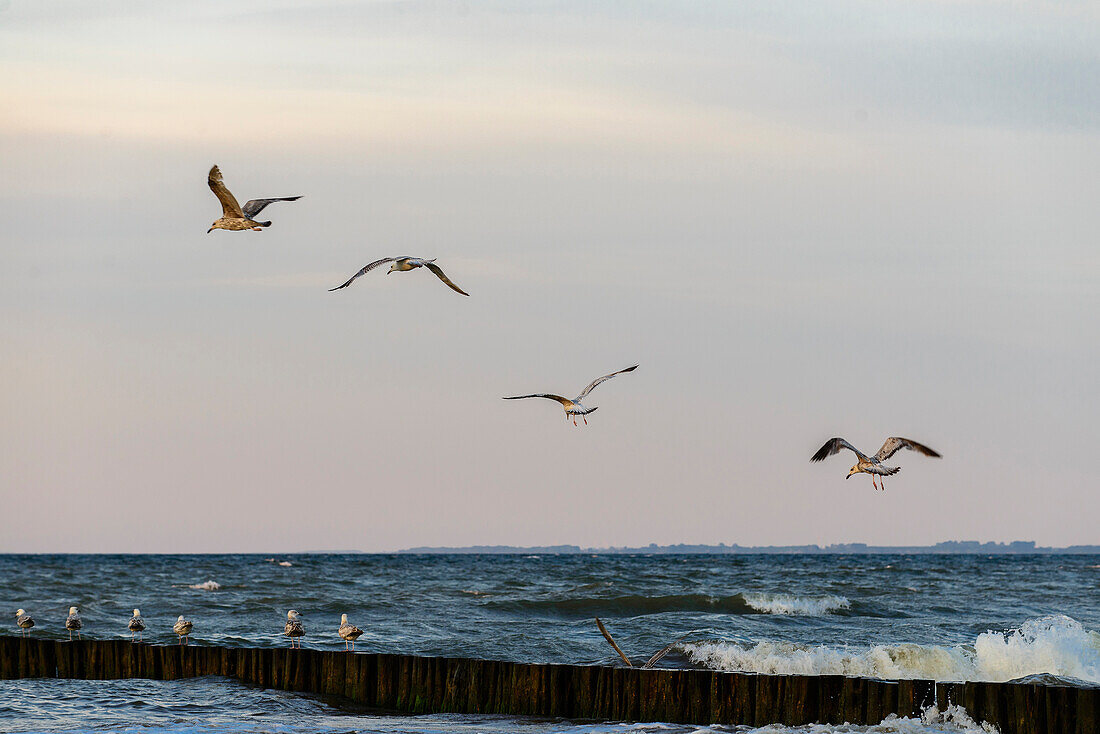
<point>435,685</point>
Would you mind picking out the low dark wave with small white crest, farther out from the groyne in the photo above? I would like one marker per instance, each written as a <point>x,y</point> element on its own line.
<point>636,606</point>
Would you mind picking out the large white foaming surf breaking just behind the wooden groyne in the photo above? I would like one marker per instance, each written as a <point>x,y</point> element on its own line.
<point>1057,645</point>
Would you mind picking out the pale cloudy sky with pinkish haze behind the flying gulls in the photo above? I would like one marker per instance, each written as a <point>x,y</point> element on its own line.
<point>801,220</point>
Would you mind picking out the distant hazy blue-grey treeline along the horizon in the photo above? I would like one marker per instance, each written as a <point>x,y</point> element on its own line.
<point>947,547</point>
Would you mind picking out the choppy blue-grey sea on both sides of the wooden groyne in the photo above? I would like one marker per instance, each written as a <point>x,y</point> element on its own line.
<point>934,617</point>
